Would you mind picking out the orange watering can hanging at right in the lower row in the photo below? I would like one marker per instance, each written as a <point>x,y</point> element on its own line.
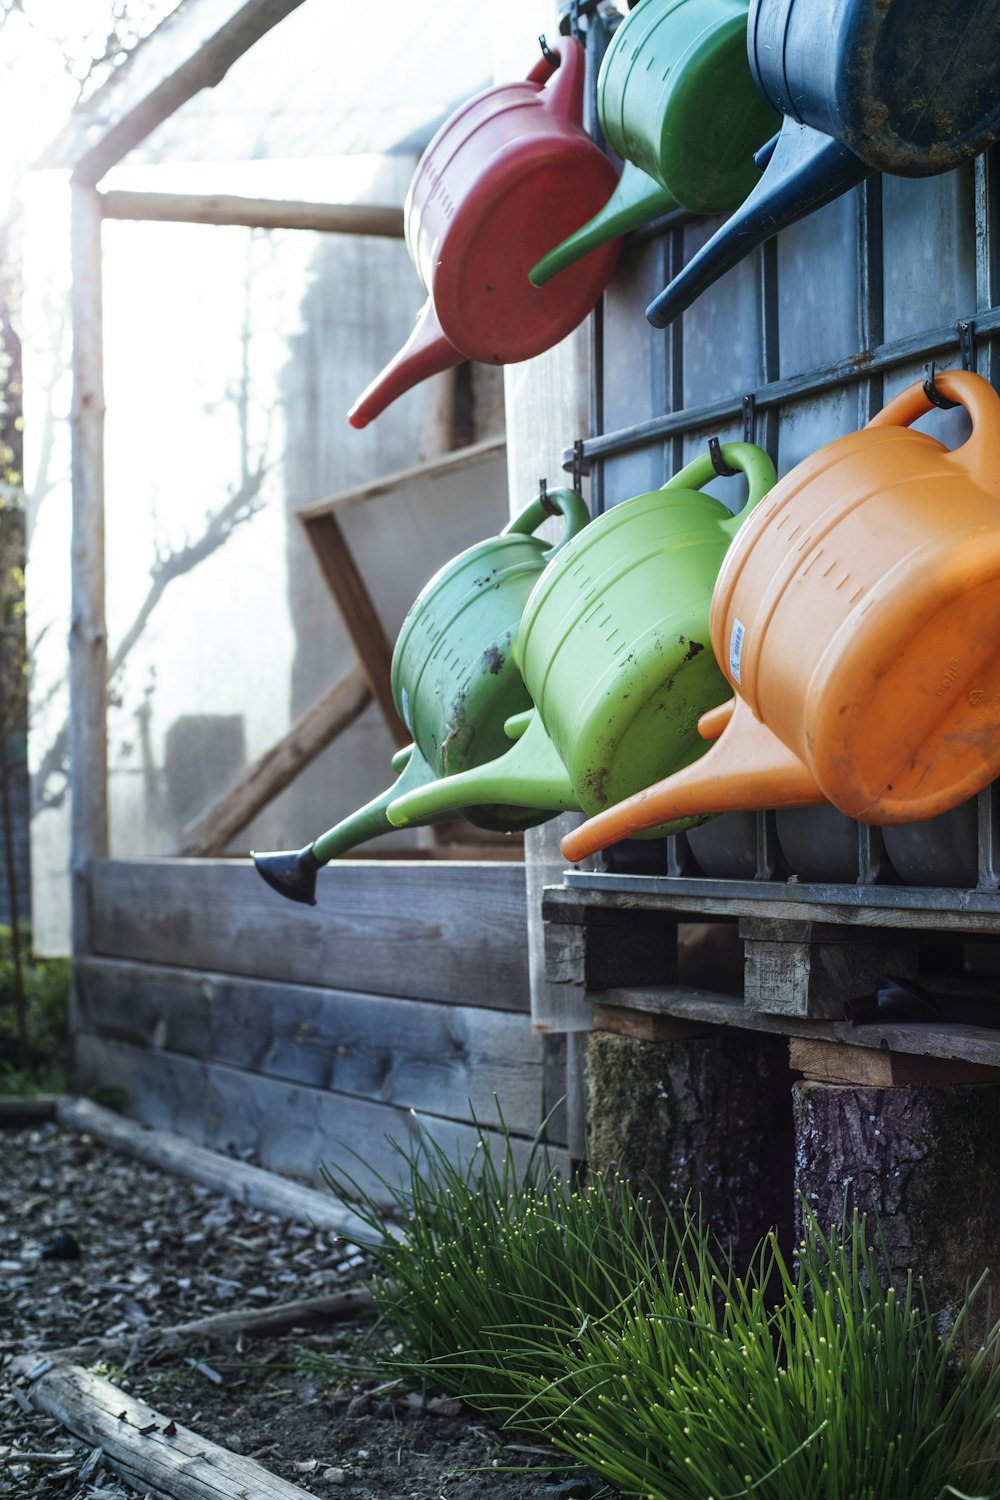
<point>857,617</point>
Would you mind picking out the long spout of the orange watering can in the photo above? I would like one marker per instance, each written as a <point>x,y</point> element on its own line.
<point>749,769</point>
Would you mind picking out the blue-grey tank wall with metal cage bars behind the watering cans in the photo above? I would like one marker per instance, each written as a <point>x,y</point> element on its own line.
<point>803,343</point>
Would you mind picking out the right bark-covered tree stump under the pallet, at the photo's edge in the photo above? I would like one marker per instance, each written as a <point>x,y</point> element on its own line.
<point>921,1159</point>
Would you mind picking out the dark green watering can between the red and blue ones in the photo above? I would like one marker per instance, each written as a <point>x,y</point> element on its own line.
<point>678,103</point>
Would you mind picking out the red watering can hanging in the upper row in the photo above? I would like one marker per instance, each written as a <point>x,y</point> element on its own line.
<point>509,176</point>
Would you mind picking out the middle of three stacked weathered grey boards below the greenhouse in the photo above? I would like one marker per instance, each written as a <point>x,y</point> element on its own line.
<point>448,1060</point>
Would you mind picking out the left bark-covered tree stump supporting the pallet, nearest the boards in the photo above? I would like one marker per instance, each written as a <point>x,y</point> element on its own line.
<point>707,1118</point>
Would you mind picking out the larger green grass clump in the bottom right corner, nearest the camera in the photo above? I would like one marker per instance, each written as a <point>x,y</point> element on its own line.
<point>780,1385</point>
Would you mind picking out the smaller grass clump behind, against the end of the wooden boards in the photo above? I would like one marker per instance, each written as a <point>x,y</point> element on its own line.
<point>488,1270</point>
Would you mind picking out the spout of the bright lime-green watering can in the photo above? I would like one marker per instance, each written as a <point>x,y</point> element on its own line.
<point>530,775</point>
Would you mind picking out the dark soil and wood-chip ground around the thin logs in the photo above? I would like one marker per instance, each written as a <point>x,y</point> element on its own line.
<point>155,1252</point>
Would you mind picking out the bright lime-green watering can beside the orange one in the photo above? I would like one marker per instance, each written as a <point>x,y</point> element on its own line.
<point>615,652</point>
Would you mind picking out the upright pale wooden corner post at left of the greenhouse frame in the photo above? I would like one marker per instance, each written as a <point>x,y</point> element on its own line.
<point>88,634</point>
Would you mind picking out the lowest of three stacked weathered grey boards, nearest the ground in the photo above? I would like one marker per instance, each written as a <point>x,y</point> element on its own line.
<point>287,1127</point>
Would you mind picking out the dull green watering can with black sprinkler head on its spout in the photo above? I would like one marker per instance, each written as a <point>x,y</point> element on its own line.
<point>455,683</point>
